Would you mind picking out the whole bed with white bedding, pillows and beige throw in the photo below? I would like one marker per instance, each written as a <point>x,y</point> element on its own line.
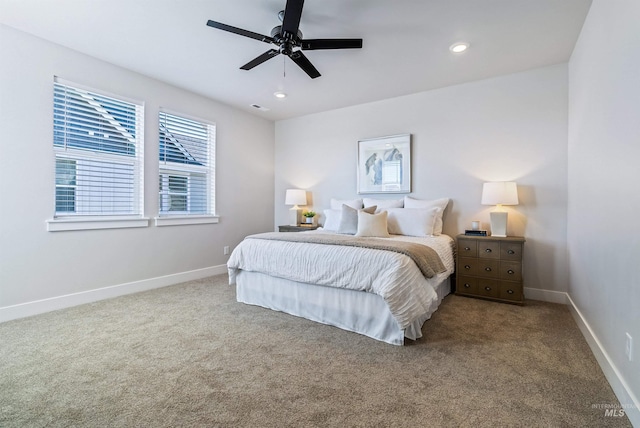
<point>384,287</point>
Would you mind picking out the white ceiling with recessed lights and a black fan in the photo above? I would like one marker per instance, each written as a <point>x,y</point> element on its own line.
<point>405,48</point>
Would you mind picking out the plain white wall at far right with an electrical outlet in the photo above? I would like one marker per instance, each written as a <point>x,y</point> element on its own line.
<point>604,201</point>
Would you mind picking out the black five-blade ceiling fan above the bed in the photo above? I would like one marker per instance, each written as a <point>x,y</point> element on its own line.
<point>288,39</point>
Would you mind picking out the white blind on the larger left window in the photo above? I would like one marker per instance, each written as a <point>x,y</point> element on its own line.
<point>98,150</point>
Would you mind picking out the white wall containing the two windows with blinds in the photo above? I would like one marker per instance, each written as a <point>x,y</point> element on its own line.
<point>36,264</point>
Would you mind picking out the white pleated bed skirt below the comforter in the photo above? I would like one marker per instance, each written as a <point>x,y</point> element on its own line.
<point>350,310</point>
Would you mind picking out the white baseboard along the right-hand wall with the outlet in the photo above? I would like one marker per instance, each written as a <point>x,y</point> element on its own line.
<point>629,402</point>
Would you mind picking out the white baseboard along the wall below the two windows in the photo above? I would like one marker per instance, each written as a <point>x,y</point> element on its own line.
<point>22,310</point>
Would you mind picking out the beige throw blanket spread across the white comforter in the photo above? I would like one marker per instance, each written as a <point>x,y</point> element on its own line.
<point>424,257</point>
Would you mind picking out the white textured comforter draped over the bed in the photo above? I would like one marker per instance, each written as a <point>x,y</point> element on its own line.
<point>394,277</point>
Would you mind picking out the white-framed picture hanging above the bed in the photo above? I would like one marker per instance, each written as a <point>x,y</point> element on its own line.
<point>384,164</point>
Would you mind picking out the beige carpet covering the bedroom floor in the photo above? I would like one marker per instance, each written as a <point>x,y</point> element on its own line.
<point>189,355</point>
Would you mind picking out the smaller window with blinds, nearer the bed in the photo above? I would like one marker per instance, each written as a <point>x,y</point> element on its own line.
<point>187,159</point>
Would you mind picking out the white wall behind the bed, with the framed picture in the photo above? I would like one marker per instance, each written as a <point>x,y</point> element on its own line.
<point>506,128</point>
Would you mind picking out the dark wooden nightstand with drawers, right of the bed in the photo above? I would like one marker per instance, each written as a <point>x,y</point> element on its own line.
<point>490,268</point>
